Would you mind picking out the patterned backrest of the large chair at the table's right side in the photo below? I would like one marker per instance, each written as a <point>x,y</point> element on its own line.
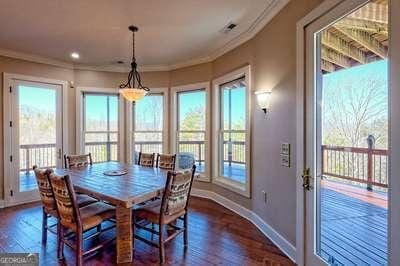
<point>177,191</point>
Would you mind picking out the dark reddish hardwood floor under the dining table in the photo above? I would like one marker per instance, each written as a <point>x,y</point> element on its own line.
<point>217,236</point>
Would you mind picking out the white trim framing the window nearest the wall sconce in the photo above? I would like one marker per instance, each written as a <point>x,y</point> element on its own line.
<point>243,189</point>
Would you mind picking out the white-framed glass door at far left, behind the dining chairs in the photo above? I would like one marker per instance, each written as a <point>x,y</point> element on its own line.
<point>36,135</point>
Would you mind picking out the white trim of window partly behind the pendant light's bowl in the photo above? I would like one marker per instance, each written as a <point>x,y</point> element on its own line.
<point>129,125</point>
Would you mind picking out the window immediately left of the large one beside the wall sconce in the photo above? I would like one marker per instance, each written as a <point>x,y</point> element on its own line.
<point>190,122</point>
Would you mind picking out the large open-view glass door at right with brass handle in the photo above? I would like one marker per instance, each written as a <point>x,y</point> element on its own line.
<point>345,178</point>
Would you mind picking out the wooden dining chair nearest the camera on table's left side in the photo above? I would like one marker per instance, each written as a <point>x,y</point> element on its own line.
<point>78,220</point>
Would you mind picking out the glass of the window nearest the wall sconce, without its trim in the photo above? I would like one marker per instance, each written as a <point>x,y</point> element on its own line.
<point>233,122</point>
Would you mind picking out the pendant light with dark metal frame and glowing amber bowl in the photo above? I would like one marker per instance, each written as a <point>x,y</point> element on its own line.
<point>133,90</point>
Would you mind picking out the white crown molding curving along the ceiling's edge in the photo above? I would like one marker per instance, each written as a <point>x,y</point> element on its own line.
<point>268,13</point>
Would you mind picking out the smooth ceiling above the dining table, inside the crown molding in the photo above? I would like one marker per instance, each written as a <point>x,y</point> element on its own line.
<point>171,32</point>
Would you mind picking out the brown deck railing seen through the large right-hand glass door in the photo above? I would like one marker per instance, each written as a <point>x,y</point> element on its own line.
<point>364,165</point>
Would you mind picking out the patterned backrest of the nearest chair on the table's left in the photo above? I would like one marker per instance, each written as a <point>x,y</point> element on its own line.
<point>64,194</point>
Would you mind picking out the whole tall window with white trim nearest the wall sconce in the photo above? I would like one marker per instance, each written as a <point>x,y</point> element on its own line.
<point>231,138</point>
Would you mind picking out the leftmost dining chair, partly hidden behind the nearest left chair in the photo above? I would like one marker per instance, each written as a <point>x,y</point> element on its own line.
<point>49,208</point>
